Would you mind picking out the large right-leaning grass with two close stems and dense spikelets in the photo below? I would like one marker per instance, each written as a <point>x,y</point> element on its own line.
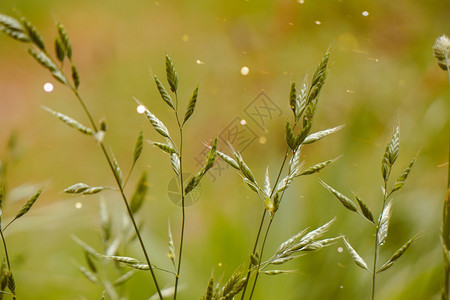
<point>303,105</point>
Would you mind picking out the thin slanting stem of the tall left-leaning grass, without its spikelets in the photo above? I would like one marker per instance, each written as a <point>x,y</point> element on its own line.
<point>122,193</point>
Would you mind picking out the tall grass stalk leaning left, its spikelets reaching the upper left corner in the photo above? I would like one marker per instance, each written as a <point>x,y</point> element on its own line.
<point>22,30</point>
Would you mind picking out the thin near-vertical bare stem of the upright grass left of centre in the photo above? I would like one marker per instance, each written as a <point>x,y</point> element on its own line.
<point>183,208</point>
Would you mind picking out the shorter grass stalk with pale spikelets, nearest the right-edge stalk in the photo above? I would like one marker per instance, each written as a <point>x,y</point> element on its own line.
<point>381,224</point>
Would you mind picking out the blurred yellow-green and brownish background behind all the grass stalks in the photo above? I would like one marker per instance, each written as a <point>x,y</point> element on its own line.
<point>383,74</point>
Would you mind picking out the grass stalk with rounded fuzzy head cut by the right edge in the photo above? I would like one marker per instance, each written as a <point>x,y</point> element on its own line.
<point>441,49</point>
